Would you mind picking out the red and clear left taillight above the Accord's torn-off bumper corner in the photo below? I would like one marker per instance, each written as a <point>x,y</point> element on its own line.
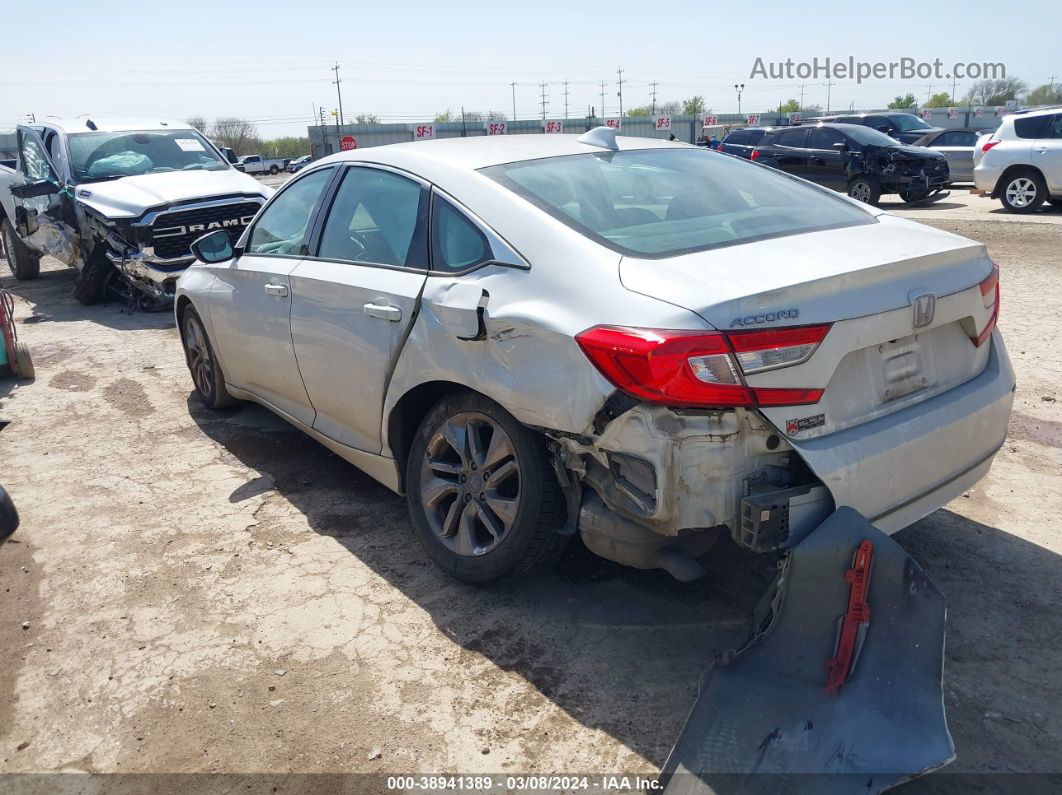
<point>698,369</point>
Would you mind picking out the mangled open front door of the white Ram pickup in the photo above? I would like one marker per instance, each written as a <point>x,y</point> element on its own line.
<point>44,208</point>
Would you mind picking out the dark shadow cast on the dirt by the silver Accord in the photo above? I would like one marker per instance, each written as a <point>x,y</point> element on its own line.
<point>622,650</point>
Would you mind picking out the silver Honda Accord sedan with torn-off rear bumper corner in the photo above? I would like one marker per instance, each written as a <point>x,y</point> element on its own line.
<point>640,342</point>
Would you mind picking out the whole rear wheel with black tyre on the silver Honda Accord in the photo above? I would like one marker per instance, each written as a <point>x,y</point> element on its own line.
<point>483,494</point>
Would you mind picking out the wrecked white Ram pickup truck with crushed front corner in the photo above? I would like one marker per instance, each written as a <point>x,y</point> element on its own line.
<point>122,203</point>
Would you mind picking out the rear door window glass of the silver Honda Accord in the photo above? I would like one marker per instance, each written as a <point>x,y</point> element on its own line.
<point>379,218</point>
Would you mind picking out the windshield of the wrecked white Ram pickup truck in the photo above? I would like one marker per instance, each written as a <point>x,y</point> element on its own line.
<point>111,155</point>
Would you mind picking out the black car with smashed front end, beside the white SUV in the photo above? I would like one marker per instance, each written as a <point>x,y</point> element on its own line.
<point>857,161</point>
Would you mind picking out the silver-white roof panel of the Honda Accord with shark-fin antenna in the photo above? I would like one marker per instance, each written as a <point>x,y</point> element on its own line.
<point>479,152</point>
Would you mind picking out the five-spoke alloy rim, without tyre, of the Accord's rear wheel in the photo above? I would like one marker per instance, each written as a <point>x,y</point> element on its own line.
<point>471,485</point>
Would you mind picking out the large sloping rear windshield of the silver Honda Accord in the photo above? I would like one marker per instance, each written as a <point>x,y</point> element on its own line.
<point>665,202</point>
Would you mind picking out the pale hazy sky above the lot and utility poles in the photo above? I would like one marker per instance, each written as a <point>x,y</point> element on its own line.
<point>270,61</point>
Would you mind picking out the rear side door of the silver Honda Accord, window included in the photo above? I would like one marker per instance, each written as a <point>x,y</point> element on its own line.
<point>357,299</point>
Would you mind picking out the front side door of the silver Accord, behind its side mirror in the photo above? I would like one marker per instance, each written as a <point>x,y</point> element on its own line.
<point>250,304</point>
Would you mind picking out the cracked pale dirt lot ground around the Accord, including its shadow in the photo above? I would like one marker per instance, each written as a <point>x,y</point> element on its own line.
<point>195,592</point>
